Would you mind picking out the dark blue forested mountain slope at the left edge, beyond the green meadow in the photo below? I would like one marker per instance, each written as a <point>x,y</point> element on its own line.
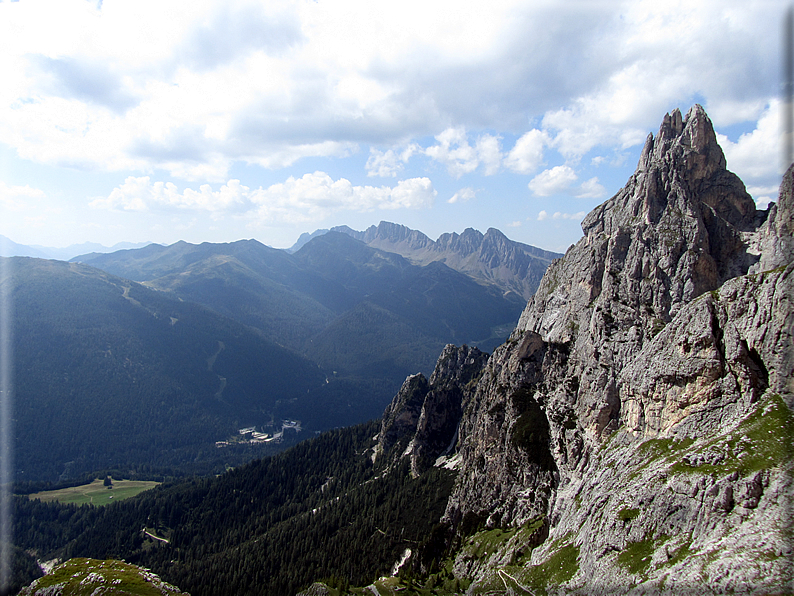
<point>109,372</point>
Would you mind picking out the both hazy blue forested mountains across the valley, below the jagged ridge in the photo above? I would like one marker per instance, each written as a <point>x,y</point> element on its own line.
<point>205,339</point>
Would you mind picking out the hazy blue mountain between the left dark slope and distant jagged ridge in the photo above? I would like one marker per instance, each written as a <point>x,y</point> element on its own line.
<point>370,316</point>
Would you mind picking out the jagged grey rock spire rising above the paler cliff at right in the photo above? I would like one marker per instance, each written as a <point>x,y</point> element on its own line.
<point>673,232</point>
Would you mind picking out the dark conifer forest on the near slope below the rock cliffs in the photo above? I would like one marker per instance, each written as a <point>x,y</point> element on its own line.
<point>270,527</point>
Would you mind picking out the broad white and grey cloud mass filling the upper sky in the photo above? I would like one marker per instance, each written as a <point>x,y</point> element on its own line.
<point>193,87</point>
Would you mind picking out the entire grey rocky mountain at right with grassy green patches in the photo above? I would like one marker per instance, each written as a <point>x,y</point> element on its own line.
<point>642,406</point>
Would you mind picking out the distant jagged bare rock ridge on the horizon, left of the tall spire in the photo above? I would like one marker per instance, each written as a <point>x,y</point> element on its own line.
<point>491,257</point>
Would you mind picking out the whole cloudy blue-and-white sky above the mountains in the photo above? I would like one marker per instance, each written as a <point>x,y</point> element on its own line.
<point>216,121</point>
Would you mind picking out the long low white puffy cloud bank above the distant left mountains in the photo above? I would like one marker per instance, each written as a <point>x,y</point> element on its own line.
<point>310,197</point>
